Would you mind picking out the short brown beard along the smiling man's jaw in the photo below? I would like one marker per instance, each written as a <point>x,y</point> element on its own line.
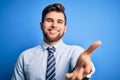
<point>52,39</point>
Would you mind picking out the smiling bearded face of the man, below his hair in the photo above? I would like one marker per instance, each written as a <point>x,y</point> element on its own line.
<point>53,26</point>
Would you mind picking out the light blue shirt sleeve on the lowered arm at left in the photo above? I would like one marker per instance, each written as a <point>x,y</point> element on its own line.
<point>18,73</point>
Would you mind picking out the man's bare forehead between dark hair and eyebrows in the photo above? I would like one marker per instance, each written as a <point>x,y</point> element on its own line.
<point>55,15</point>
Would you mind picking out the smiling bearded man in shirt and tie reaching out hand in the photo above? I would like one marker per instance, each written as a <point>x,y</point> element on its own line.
<point>53,59</point>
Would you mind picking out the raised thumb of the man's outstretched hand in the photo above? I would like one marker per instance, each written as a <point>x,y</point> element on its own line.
<point>93,47</point>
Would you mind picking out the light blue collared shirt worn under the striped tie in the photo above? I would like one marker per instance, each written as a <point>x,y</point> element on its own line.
<point>31,64</point>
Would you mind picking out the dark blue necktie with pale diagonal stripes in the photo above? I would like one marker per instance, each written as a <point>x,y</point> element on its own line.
<point>50,72</point>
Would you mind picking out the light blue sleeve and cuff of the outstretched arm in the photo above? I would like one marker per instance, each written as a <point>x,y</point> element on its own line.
<point>76,53</point>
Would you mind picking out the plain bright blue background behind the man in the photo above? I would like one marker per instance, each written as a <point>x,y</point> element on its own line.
<point>88,21</point>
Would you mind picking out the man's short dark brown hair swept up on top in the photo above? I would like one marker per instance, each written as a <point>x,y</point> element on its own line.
<point>54,7</point>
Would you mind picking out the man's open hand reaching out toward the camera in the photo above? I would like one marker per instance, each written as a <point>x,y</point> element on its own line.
<point>83,66</point>
